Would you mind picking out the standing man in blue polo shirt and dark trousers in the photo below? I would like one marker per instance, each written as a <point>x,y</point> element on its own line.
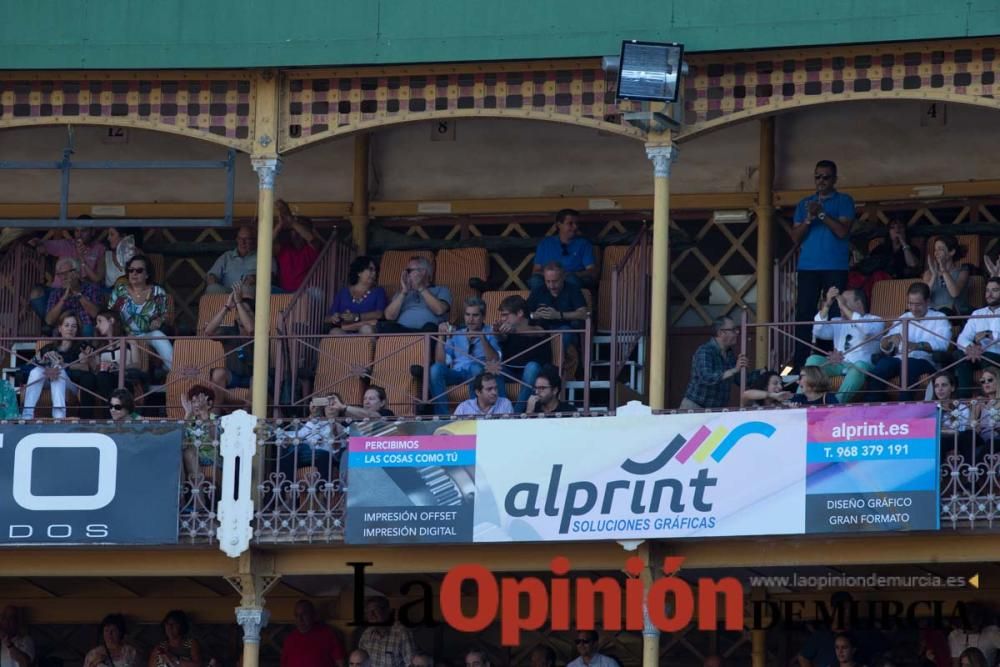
<point>822,226</point>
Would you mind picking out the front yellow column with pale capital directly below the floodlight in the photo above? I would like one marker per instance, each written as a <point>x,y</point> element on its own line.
<point>663,154</point>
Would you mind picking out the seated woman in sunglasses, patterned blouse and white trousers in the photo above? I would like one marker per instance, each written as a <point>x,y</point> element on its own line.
<point>142,305</point>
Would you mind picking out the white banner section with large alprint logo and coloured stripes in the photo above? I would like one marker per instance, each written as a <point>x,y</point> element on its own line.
<point>730,473</point>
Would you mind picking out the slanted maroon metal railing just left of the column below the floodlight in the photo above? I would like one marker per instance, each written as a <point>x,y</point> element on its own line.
<point>630,305</point>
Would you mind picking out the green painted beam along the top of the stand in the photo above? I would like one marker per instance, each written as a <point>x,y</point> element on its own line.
<point>144,34</point>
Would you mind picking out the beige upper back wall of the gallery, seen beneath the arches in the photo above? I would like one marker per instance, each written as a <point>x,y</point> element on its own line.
<point>873,143</point>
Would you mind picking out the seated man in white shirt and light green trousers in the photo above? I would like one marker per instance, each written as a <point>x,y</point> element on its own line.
<point>854,341</point>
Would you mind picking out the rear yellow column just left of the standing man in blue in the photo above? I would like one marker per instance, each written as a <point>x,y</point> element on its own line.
<point>765,238</point>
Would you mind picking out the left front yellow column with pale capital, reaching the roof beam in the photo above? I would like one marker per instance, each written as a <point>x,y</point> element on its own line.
<point>266,163</point>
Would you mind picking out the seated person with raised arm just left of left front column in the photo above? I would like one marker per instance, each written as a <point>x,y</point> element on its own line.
<point>238,371</point>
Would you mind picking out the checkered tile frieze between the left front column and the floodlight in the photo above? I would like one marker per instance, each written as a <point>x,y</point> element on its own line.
<point>321,107</point>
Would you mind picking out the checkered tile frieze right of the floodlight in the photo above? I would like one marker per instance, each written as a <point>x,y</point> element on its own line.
<point>720,86</point>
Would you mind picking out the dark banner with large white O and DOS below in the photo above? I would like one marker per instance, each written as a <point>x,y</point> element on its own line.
<point>89,483</point>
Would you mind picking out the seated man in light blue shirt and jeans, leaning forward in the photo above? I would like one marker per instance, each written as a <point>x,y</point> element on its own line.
<point>461,358</point>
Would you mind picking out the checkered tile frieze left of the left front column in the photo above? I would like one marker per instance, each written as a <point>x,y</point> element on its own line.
<point>220,109</point>
